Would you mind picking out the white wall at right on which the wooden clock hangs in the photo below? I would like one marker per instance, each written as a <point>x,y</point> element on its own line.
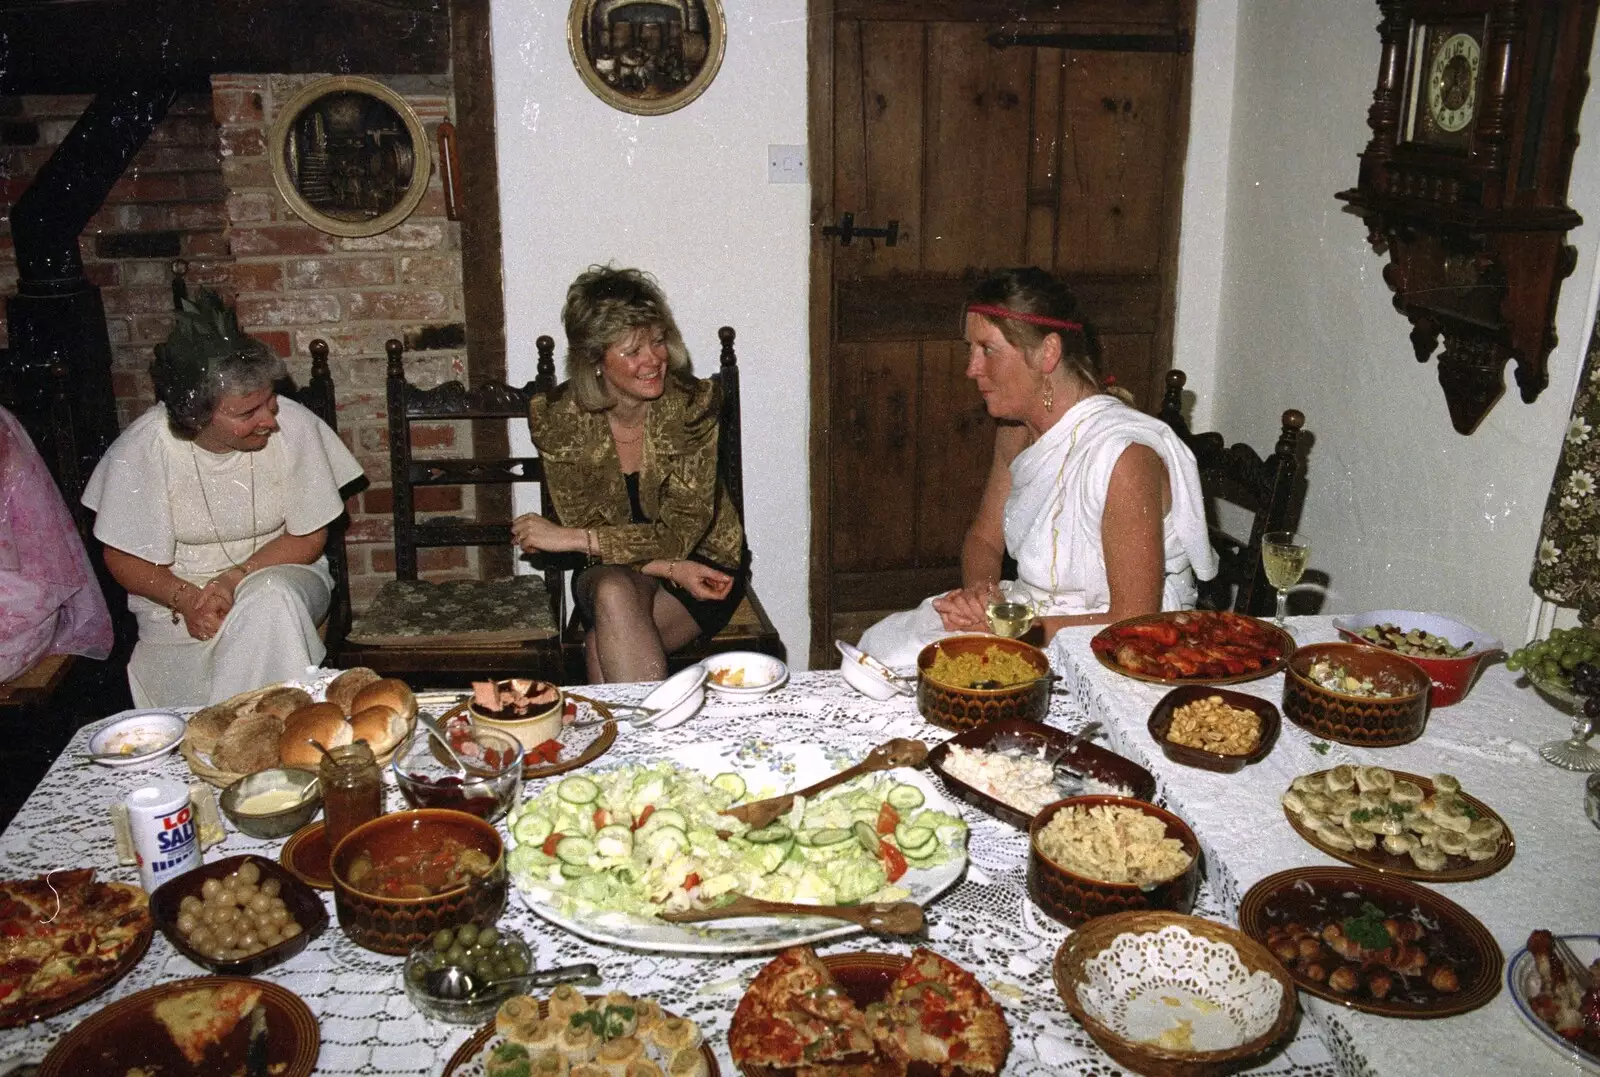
<point>1402,511</point>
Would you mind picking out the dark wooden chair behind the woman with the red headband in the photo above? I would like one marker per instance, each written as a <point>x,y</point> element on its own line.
<point>1268,489</point>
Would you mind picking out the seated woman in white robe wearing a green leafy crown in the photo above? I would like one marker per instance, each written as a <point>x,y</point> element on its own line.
<point>215,508</point>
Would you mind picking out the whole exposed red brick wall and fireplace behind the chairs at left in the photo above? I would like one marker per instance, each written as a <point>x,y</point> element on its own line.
<point>201,190</point>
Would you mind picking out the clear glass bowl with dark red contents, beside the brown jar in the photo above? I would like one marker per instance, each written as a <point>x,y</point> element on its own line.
<point>430,780</point>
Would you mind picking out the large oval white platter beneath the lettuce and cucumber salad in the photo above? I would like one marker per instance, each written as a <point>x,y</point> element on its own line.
<point>785,767</point>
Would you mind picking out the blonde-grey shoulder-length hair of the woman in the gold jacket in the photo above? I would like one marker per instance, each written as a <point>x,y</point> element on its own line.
<point>602,308</point>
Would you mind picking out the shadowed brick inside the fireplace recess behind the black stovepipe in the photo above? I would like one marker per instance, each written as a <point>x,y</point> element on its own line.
<point>167,206</point>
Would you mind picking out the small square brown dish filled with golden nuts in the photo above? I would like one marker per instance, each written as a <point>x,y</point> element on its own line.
<point>1215,729</point>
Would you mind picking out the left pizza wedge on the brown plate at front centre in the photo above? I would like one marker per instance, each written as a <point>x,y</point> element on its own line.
<point>798,1015</point>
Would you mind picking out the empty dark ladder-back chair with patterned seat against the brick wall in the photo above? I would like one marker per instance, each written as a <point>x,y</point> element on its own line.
<point>468,630</point>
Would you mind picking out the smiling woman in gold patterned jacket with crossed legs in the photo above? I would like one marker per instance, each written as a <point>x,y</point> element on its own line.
<point>630,446</point>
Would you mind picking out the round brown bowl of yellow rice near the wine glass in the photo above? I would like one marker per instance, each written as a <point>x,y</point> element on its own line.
<point>969,681</point>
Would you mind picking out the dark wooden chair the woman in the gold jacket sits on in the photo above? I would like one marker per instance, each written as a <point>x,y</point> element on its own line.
<point>750,630</point>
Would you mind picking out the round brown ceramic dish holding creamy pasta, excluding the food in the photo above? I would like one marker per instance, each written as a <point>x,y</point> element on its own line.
<point>1073,899</point>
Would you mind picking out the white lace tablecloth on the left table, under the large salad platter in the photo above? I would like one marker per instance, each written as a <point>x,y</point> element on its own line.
<point>369,1027</point>
